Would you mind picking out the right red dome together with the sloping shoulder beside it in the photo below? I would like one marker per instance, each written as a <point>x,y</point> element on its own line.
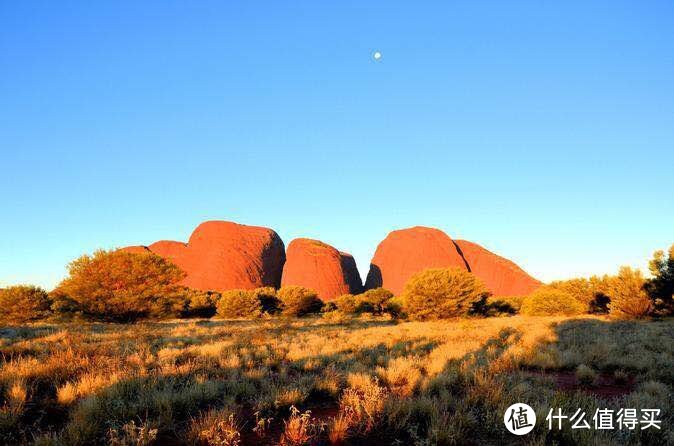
<point>405,252</point>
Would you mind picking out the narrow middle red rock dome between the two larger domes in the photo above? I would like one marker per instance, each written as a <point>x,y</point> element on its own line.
<point>317,265</point>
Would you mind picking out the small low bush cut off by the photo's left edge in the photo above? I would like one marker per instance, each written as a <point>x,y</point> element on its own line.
<point>23,303</point>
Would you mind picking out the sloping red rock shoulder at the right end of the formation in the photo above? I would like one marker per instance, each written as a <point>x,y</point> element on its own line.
<point>501,276</point>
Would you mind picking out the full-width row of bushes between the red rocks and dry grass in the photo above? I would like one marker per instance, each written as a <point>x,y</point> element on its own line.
<point>122,286</point>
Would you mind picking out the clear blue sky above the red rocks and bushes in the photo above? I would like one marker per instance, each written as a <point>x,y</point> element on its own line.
<point>542,130</point>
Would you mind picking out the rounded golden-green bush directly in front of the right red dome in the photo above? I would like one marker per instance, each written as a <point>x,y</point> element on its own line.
<point>442,293</point>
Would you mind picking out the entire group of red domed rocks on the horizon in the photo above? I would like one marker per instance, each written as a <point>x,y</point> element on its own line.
<point>223,255</point>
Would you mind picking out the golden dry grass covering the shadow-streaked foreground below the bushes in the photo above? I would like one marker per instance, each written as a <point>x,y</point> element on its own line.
<point>363,380</point>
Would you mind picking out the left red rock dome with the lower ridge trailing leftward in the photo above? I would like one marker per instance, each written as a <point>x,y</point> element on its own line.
<point>223,255</point>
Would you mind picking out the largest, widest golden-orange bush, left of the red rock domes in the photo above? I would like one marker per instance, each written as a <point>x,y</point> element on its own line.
<point>118,285</point>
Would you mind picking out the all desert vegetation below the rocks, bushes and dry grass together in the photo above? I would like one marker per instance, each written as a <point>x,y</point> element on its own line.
<point>437,364</point>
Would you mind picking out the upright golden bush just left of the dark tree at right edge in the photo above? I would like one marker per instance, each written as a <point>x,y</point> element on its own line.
<point>628,297</point>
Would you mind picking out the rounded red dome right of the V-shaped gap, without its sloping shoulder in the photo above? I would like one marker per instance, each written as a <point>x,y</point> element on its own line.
<point>407,251</point>
